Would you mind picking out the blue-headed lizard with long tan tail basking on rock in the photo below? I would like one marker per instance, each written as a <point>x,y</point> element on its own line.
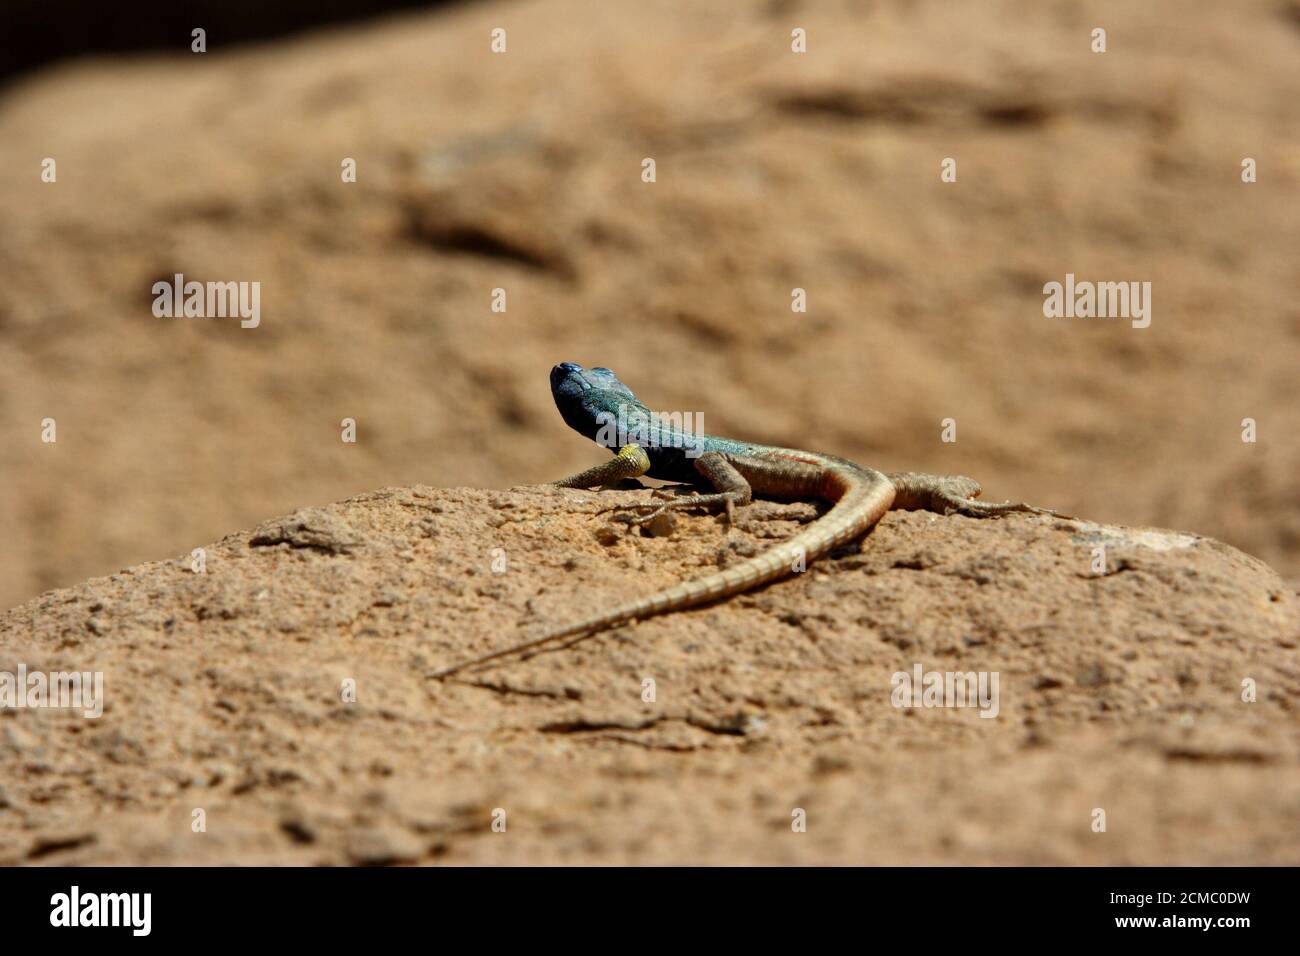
<point>596,404</point>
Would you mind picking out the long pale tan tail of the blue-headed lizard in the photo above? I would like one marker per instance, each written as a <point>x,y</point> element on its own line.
<point>864,500</point>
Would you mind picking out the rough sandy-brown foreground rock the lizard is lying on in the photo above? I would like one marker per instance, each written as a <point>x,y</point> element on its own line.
<point>1120,691</point>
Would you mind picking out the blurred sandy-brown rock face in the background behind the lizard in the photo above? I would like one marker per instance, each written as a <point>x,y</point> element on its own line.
<point>774,171</point>
